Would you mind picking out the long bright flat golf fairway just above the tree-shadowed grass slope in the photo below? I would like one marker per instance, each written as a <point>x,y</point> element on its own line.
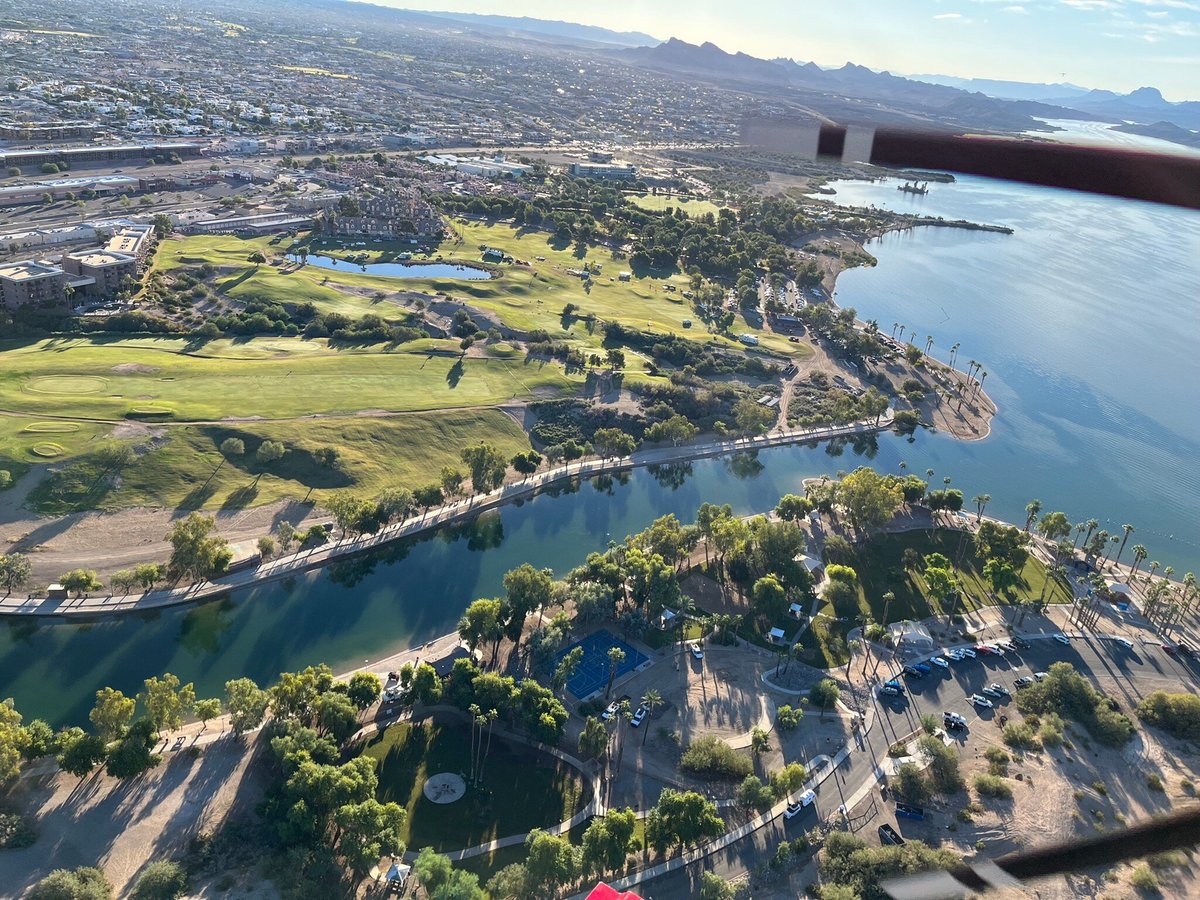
<point>273,379</point>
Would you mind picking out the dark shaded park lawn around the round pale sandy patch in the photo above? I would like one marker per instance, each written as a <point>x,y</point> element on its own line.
<point>523,789</point>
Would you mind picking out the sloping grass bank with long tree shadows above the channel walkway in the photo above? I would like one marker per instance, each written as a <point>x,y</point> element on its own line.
<point>185,469</point>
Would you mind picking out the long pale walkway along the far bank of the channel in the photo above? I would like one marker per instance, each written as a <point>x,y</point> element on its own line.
<point>458,512</point>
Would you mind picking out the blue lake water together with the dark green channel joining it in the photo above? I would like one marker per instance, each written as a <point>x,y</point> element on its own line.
<point>1085,321</point>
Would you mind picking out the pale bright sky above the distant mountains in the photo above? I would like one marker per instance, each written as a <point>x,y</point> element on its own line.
<point>1117,45</point>
